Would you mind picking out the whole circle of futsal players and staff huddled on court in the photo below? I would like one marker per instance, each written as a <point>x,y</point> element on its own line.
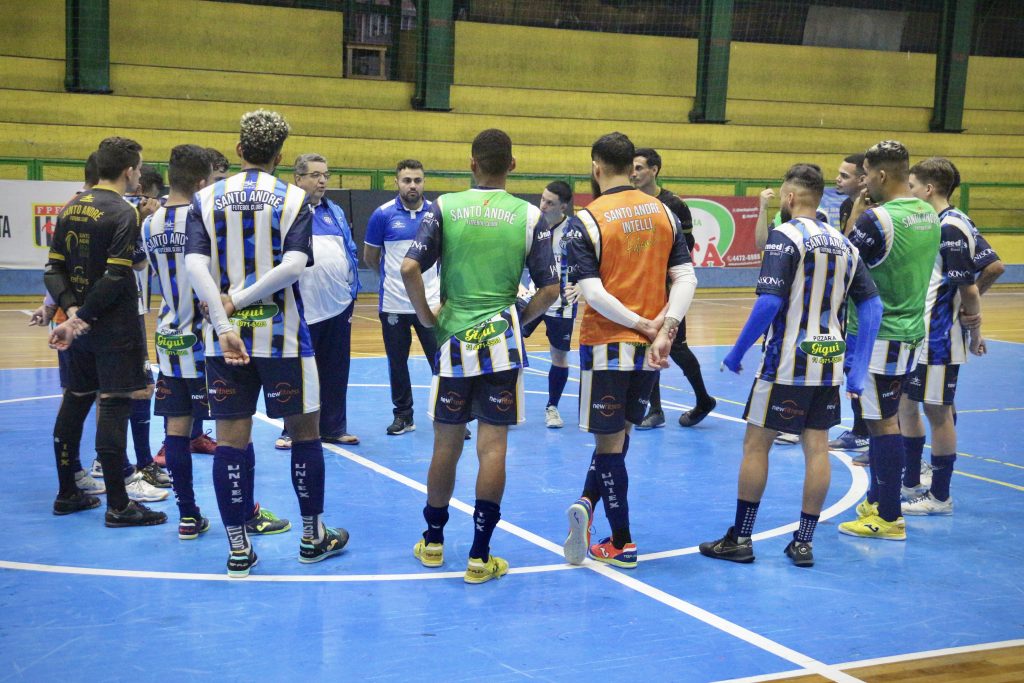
<point>259,279</point>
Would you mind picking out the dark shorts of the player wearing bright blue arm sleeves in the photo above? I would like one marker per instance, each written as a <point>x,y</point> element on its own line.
<point>792,409</point>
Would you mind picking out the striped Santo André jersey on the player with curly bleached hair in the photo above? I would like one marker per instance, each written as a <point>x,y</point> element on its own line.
<point>245,225</point>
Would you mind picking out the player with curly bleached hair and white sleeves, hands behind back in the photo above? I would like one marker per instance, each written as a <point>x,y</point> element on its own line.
<point>248,242</point>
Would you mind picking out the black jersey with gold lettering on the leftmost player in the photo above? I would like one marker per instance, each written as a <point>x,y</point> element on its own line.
<point>91,264</point>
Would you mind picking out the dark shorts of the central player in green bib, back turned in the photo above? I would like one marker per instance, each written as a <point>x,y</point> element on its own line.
<point>496,399</point>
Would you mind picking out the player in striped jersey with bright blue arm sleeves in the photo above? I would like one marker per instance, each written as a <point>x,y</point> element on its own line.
<point>808,273</point>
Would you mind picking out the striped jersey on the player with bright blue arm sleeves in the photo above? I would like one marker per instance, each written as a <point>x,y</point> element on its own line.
<point>816,270</point>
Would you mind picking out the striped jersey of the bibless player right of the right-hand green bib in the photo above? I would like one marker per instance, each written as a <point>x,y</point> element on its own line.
<point>946,340</point>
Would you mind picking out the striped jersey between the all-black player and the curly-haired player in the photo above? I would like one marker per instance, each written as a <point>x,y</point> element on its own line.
<point>180,325</point>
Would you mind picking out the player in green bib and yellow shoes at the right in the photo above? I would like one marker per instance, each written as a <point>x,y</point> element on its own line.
<point>899,240</point>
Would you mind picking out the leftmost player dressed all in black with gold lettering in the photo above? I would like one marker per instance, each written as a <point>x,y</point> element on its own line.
<point>89,275</point>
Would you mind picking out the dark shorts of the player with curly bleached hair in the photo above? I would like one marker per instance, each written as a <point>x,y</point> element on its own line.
<point>290,387</point>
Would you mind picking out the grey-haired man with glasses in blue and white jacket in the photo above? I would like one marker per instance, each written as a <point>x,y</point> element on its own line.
<point>328,287</point>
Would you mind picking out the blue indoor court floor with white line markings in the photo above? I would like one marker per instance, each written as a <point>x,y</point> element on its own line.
<point>79,602</point>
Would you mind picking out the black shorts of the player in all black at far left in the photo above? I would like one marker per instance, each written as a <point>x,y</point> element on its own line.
<point>94,365</point>
